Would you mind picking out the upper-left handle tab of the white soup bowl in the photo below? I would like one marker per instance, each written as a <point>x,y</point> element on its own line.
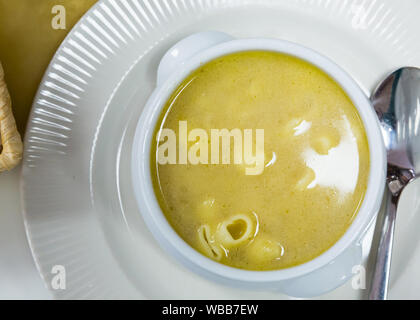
<point>183,50</point>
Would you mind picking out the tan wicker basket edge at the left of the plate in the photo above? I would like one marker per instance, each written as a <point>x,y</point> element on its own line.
<point>11,147</point>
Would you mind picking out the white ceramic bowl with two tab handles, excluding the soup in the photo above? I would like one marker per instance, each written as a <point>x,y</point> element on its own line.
<point>315,277</point>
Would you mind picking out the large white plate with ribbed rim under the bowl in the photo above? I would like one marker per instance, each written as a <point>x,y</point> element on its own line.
<point>79,207</point>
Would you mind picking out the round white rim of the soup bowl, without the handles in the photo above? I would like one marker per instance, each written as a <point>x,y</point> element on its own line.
<point>142,180</point>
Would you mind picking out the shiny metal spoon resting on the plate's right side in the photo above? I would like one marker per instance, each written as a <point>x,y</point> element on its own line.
<point>397,104</point>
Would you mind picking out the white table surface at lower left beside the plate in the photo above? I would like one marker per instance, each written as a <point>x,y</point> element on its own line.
<point>19,278</point>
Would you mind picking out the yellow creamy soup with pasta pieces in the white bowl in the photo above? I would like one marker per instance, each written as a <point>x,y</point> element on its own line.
<point>313,177</point>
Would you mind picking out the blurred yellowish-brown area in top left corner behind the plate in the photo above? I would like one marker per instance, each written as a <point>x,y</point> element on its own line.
<point>27,43</point>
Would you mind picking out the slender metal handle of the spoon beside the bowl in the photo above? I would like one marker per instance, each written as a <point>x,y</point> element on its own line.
<point>380,279</point>
